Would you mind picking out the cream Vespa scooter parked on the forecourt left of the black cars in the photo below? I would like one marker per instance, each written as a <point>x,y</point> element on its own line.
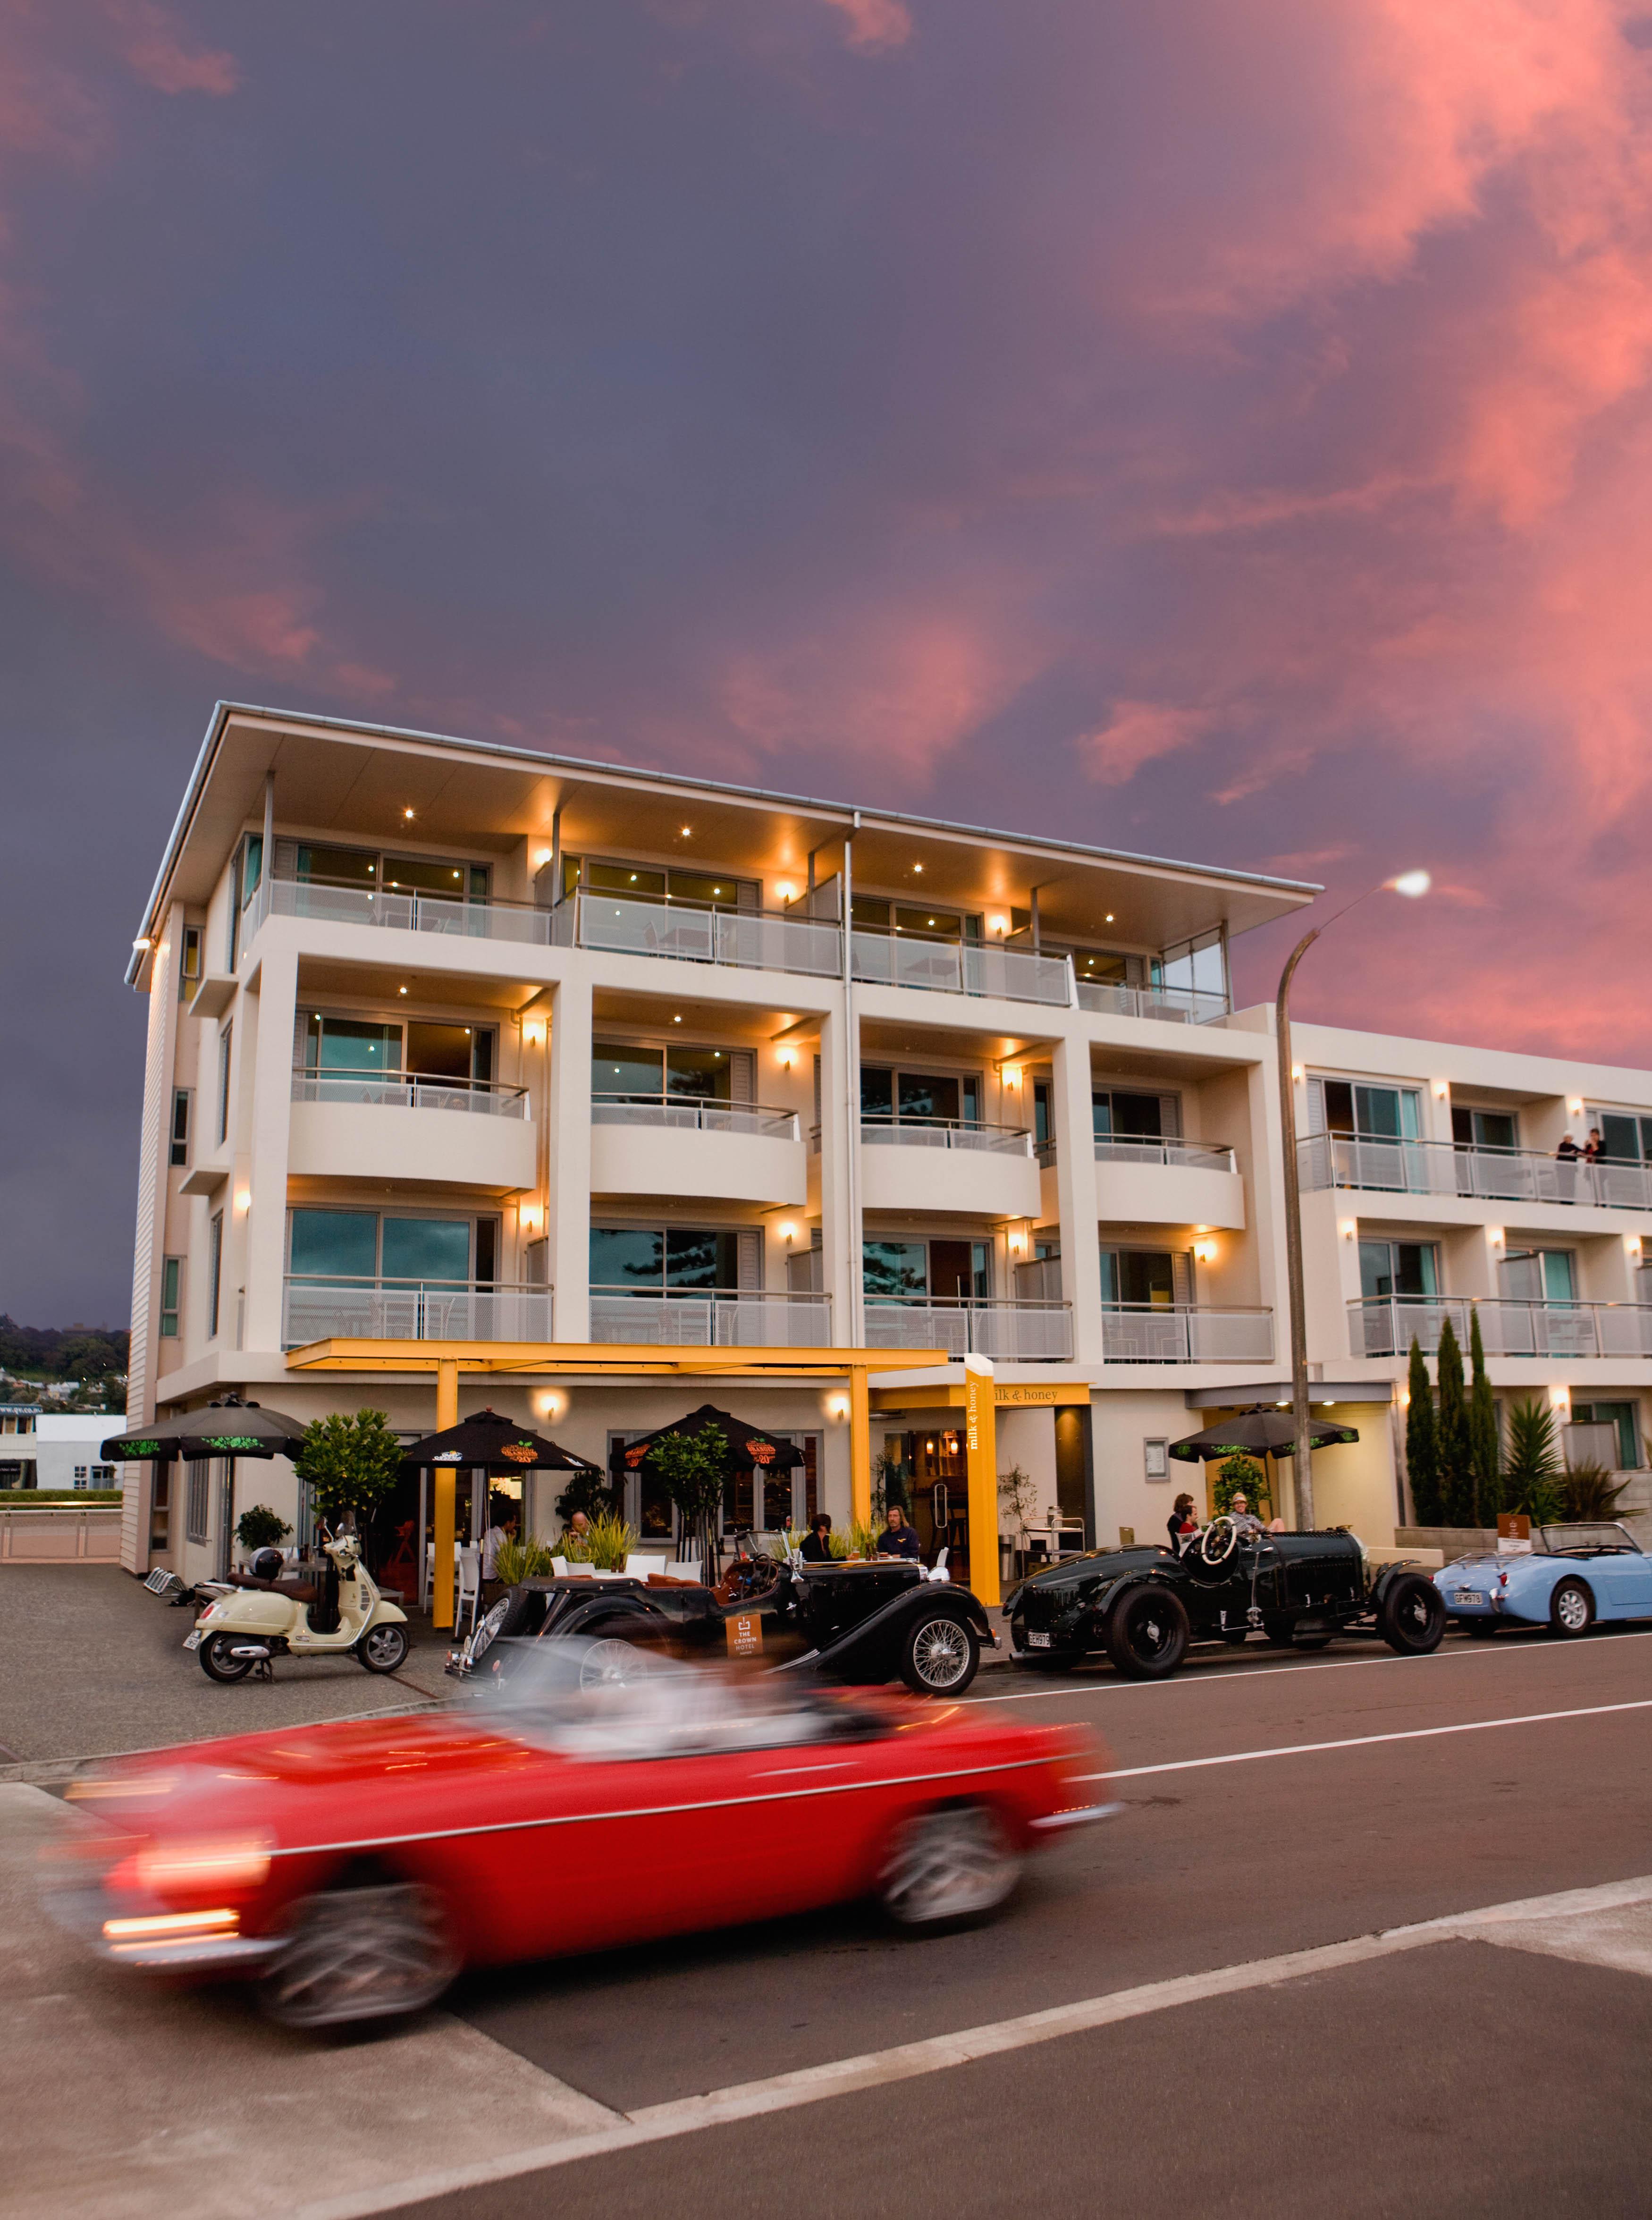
<point>248,1626</point>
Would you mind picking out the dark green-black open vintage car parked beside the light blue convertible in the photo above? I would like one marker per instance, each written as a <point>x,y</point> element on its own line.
<point>1145,1606</point>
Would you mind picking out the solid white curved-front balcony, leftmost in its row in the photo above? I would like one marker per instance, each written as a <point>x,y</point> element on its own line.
<point>412,1127</point>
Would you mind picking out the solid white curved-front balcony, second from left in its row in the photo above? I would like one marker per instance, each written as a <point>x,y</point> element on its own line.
<point>736,1153</point>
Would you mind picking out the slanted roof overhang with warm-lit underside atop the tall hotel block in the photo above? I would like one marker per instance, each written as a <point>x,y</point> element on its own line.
<point>356,780</point>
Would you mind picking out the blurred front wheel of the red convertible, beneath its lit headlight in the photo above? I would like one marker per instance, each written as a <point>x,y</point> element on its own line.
<point>361,1955</point>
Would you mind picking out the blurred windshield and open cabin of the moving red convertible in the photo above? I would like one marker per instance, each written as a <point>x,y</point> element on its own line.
<point>554,1702</point>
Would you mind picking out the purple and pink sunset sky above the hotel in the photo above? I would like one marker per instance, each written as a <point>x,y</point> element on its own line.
<point>1198,430</point>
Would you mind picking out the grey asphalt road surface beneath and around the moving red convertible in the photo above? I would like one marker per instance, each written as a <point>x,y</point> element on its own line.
<point>1495,2072</point>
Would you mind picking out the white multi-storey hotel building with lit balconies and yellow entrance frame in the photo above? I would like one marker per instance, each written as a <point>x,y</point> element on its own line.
<point>623,1093</point>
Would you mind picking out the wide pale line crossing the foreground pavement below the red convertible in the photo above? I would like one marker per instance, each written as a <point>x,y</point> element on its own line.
<point>907,2061</point>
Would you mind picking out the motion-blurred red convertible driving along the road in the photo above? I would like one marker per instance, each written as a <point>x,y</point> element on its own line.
<point>356,1868</point>
